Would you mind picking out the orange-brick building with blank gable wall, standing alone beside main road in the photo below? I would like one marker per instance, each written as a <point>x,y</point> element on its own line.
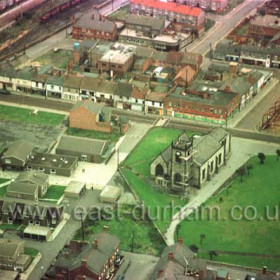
<point>90,116</point>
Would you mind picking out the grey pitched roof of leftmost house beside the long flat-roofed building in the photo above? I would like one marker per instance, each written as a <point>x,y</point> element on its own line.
<point>19,149</point>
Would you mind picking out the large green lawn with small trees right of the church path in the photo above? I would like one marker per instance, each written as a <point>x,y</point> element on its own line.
<point>260,189</point>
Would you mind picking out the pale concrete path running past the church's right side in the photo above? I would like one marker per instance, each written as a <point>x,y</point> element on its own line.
<point>242,150</point>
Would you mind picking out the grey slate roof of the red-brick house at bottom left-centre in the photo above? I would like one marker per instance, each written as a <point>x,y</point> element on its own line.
<point>95,257</point>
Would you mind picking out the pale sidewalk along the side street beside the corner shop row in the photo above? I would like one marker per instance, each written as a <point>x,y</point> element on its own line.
<point>252,104</point>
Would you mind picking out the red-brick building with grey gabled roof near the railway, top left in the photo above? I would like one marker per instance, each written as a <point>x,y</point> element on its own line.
<point>94,26</point>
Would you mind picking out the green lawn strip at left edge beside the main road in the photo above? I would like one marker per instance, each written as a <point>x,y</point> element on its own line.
<point>25,115</point>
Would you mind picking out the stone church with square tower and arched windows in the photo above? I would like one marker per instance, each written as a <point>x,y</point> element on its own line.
<point>190,162</point>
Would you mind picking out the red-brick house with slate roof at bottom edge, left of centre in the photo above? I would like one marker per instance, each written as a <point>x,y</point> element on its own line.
<point>98,260</point>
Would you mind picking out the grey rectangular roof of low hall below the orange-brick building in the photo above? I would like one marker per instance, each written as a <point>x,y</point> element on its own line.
<point>82,145</point>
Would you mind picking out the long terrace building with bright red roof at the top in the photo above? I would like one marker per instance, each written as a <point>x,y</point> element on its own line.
<point>192,17</point>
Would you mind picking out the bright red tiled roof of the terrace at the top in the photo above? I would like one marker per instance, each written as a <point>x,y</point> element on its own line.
<point>170,6</point>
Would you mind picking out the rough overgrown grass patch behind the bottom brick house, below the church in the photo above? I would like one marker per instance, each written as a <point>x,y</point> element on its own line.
<point>146,238</point>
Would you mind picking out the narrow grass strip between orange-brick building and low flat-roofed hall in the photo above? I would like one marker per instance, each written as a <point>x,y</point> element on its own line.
<point>112,137</point>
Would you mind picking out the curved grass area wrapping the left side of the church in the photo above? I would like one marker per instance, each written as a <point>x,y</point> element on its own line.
<point>139,161</point>
